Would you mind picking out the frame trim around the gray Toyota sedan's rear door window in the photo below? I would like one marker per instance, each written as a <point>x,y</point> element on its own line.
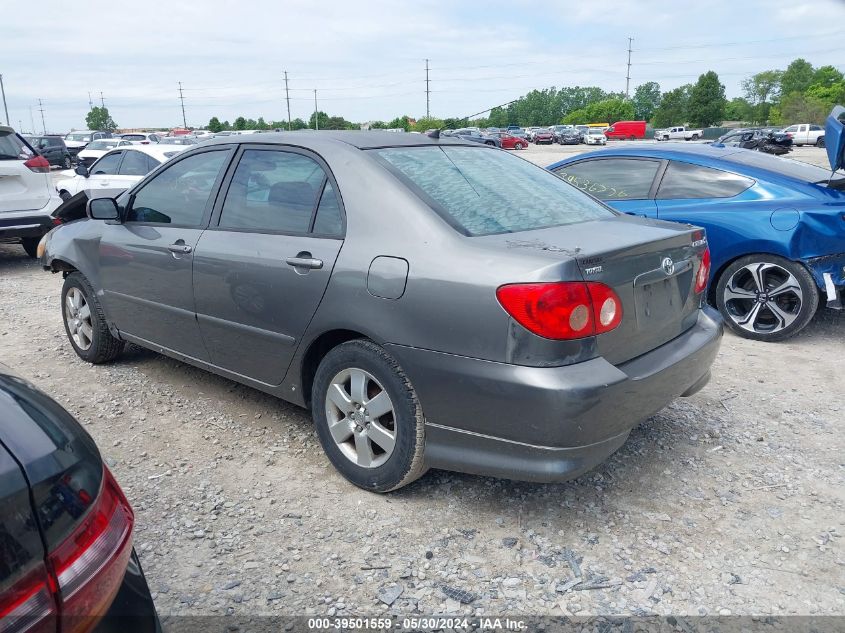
<point>328,177</point>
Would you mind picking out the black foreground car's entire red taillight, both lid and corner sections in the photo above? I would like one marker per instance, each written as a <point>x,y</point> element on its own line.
<point>85,571</point>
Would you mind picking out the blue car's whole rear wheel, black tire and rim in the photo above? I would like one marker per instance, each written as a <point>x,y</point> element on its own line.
<point>758,315</point>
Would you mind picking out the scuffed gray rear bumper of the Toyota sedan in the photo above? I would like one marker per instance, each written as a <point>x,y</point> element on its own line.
<point>549,423</point>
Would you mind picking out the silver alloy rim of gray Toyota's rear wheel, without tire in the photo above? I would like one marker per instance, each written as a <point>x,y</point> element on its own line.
<point>361,419</point>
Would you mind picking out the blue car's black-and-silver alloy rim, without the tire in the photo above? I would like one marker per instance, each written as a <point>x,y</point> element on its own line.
<point>763,298</point>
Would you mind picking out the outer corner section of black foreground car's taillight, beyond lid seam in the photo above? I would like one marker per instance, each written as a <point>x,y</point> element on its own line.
<point>89,565</point>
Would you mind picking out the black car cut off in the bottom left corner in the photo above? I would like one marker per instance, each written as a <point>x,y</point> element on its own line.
<point>66,556</point>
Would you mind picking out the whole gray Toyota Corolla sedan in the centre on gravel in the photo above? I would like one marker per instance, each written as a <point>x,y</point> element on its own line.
<point>435,303</point>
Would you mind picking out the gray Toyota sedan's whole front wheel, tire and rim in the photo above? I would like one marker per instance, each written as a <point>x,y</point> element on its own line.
<point>102,346</point>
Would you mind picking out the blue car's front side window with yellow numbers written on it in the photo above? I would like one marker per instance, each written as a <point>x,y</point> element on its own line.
<point>612,178</point>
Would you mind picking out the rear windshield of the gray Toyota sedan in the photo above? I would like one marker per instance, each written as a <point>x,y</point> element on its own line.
<point>482,192</point>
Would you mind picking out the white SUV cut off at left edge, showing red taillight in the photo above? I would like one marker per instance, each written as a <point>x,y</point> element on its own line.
<point>27,196</point>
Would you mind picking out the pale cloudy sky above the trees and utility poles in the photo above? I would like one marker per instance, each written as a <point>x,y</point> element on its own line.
<point>366,58</point>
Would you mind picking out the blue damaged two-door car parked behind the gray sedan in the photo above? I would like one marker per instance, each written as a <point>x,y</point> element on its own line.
<point>776,227</point>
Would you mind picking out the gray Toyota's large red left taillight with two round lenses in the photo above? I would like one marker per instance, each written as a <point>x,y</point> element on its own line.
<point>562,310</point>
